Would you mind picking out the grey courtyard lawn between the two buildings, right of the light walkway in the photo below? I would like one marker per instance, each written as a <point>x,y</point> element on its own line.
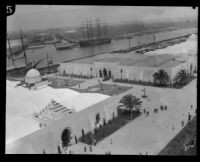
<point>106,89</point>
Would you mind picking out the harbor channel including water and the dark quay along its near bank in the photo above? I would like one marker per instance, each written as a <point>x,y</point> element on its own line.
<point>146,43</point>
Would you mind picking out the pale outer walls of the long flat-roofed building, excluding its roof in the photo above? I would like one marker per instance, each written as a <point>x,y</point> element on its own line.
<point>128,72</point>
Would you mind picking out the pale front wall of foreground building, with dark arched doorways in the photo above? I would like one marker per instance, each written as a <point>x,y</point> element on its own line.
<point>49,137</point>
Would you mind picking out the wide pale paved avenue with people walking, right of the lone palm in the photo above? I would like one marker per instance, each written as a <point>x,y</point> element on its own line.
<point>151,134</point>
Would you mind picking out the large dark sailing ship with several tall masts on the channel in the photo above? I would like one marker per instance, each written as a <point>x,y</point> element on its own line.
<point>94,34</point>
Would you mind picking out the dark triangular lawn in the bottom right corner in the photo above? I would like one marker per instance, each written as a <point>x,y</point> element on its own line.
<point>176,145</point>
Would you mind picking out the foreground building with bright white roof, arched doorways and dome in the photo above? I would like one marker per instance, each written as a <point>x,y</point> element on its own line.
<point>37,119</point>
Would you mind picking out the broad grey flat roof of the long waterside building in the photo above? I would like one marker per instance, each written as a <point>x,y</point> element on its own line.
<point>162,61</point>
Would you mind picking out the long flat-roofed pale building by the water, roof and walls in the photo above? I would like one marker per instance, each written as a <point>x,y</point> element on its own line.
<point>130,66</point>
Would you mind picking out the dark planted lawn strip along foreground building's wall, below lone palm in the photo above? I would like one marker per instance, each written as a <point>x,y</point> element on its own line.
<point>109,128</point>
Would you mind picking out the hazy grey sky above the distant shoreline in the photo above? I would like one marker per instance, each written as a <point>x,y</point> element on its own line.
<point>28,17</point>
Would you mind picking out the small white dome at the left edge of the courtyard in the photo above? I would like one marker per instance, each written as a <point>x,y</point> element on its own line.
<point>33,76</point>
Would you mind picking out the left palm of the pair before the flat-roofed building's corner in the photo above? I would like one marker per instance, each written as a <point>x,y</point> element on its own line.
<point>161,77</point>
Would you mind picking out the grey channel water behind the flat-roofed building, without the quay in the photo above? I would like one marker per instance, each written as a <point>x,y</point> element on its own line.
<point>78,52</point>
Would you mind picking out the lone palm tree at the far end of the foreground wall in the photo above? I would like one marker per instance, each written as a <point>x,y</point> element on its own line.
<point>131,103</point>
